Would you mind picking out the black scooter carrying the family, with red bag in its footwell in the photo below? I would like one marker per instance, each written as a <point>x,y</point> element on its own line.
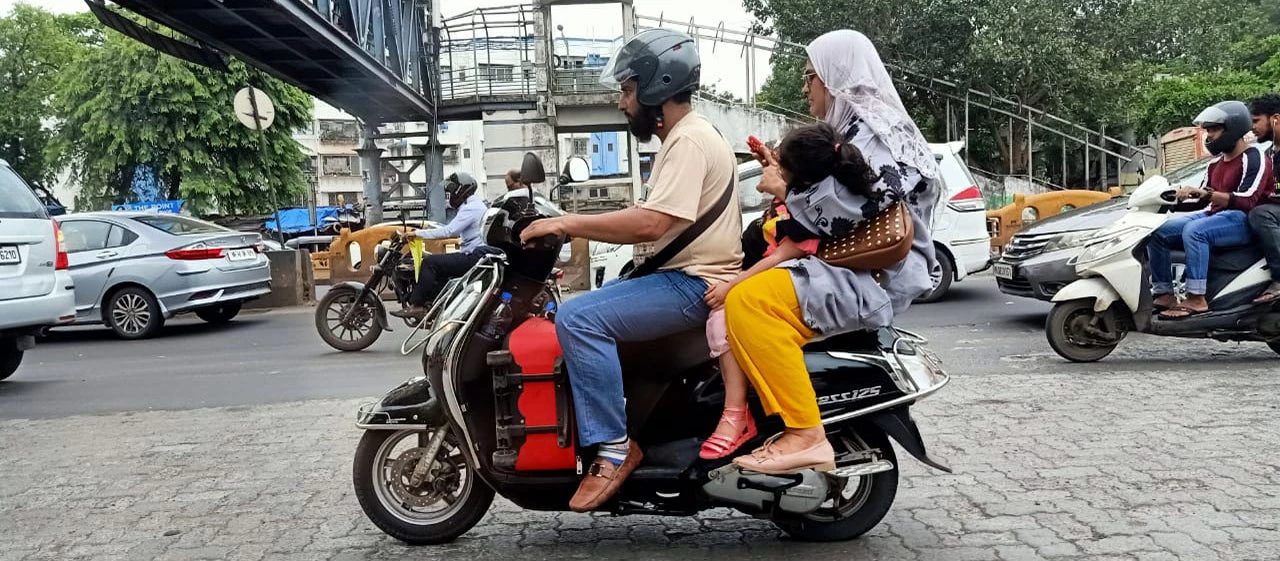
<point>493,413</point>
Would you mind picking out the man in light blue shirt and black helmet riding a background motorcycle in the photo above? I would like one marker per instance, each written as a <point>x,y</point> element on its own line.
<point>463,194</point>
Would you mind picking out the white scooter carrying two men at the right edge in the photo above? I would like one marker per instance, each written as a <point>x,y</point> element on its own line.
<point>1113,297</point>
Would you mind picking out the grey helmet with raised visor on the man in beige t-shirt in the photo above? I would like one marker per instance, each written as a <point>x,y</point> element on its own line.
<point>662,62</point>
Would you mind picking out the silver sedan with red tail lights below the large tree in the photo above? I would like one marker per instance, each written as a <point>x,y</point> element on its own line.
<point>134,271</point>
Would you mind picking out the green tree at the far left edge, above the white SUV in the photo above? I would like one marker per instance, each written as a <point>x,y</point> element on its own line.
<point>35,47</point>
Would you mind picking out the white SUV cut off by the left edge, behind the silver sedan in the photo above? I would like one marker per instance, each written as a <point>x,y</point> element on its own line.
<point>36,290</point>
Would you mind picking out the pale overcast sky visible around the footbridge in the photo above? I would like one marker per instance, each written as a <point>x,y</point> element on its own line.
<point>724,67</point>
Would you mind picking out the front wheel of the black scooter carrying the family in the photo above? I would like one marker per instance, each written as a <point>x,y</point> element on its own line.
<point>418,504</point>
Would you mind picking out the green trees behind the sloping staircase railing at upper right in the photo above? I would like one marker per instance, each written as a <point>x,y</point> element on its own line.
<point>1081,60</point>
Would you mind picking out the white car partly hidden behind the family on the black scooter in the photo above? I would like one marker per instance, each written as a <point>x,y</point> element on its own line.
<point>959,231</point>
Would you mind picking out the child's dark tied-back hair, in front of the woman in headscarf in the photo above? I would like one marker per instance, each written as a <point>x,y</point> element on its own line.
<point>817,152</point>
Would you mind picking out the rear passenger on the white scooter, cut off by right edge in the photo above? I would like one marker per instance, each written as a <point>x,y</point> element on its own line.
<point>1265,220</point>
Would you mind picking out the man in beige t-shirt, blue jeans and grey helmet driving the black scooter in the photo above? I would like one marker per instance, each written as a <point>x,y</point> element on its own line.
<point>657,74</point>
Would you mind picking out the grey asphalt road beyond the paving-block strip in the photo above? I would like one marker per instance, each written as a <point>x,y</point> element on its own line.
<point>276,357</point>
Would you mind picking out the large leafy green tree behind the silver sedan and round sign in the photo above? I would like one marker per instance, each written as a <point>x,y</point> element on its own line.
<point>126,106</point>
